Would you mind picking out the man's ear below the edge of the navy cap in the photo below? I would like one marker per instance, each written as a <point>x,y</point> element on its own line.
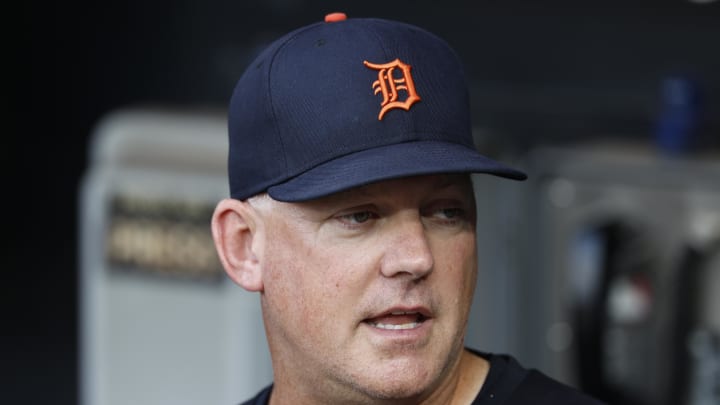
<point>235,226</point>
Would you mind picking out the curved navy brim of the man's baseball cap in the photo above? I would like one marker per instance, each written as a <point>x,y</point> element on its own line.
<point>385,163</point>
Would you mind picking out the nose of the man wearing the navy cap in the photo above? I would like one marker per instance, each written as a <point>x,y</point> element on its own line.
<point>407,249</point>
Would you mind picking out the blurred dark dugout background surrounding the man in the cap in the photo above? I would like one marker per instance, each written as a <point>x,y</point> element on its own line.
<point>602,270</point>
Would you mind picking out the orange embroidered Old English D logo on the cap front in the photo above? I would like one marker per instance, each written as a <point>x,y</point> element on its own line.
<point>393,77</point>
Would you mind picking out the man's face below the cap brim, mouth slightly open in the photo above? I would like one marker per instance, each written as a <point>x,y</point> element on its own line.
<point>367,292</point>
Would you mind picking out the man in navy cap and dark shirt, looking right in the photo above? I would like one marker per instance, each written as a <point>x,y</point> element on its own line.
<point>352,214</point>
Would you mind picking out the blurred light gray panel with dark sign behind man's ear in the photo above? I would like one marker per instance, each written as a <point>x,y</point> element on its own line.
<point>160,322</point>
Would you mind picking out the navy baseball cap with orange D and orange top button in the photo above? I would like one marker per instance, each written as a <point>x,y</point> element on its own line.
<point>348,102</point>
